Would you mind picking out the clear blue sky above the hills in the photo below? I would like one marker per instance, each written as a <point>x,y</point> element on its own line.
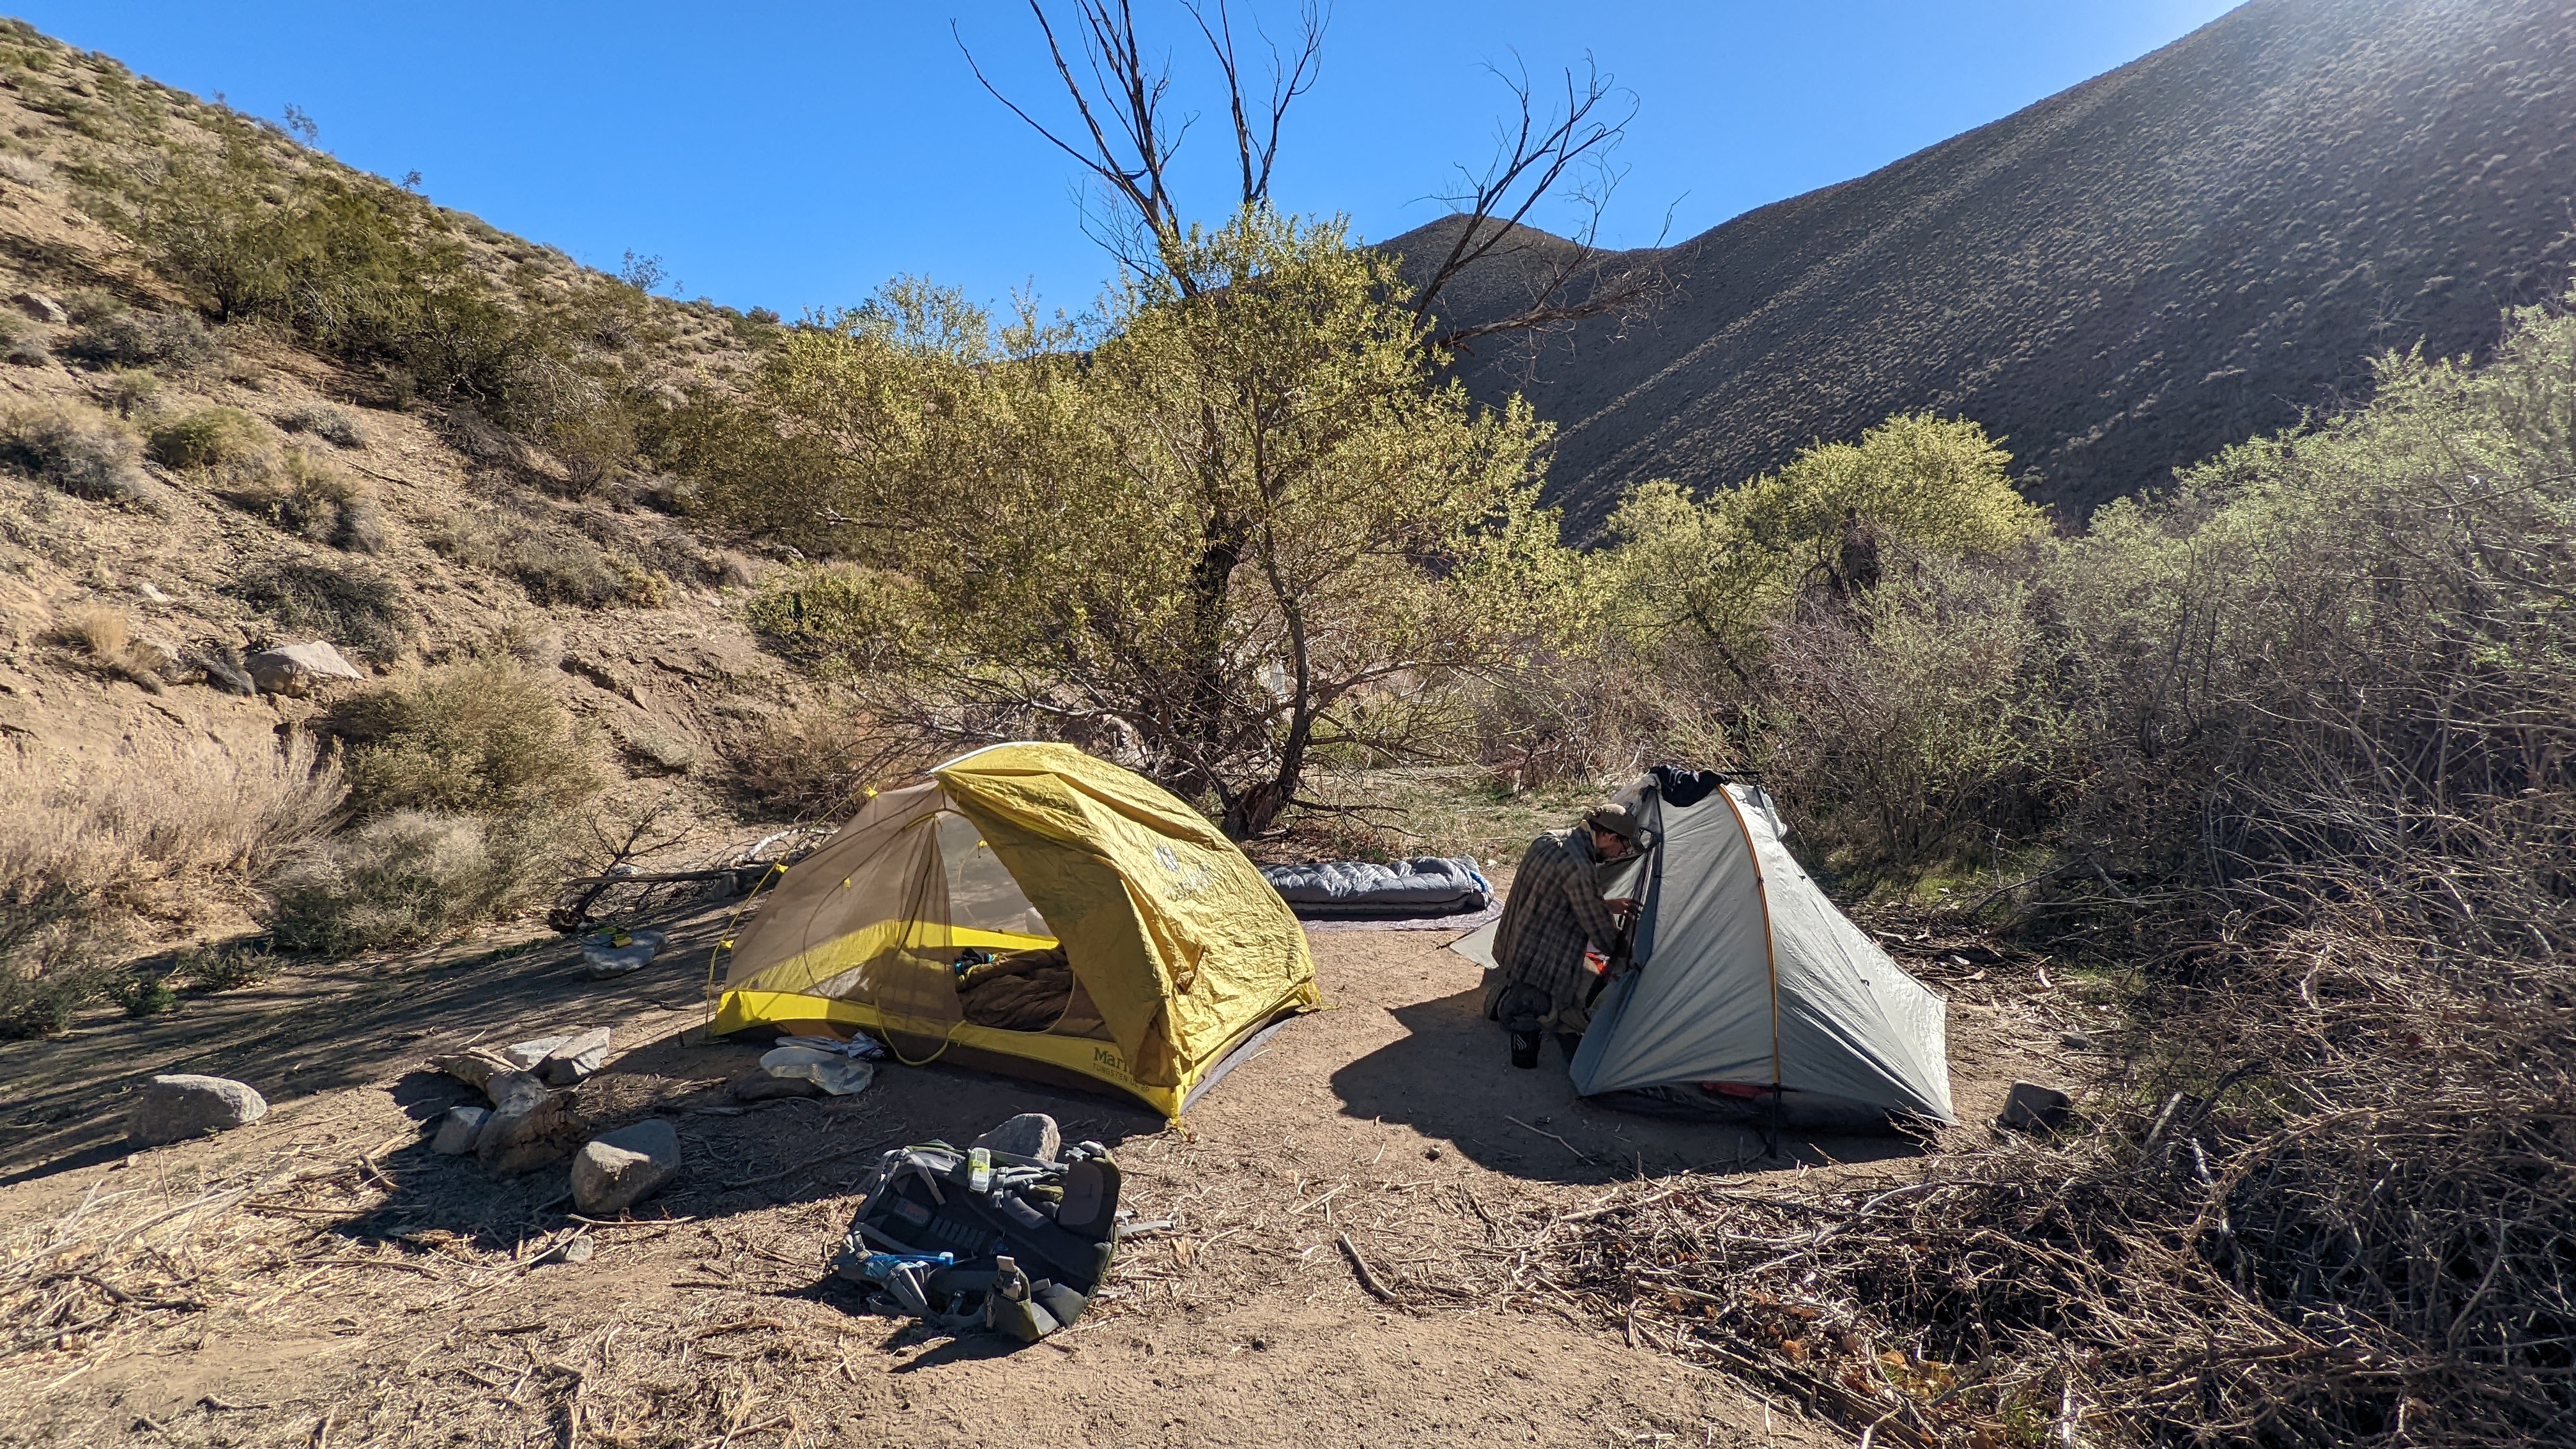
<point>800,153</point>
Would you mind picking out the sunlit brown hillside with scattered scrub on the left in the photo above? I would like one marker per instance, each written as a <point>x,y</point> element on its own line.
<point>480,535</point>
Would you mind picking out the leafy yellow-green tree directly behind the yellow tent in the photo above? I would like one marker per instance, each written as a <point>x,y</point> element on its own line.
<point>1243,527</point>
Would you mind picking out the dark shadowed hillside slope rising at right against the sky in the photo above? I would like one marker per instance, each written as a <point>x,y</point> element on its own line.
<point>2119,280</point>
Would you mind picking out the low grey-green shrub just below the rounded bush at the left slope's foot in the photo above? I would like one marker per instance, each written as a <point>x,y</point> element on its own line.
<point>403,880</point>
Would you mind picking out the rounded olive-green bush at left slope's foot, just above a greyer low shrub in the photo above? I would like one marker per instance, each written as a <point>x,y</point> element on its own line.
<point>470,739</point>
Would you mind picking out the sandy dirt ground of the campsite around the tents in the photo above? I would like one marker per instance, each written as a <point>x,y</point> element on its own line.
<point>323,1280</point>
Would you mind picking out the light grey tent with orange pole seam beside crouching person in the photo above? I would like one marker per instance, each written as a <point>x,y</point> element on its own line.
<point>1750,978</point>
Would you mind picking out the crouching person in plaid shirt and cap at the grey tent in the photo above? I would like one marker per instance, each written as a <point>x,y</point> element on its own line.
<point>1549,922</point>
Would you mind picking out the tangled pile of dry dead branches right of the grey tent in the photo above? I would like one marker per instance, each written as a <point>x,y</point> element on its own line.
<point>2333,1200</point>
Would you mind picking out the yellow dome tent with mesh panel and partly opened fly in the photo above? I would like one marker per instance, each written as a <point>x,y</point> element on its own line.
<point>1032,911</point>
